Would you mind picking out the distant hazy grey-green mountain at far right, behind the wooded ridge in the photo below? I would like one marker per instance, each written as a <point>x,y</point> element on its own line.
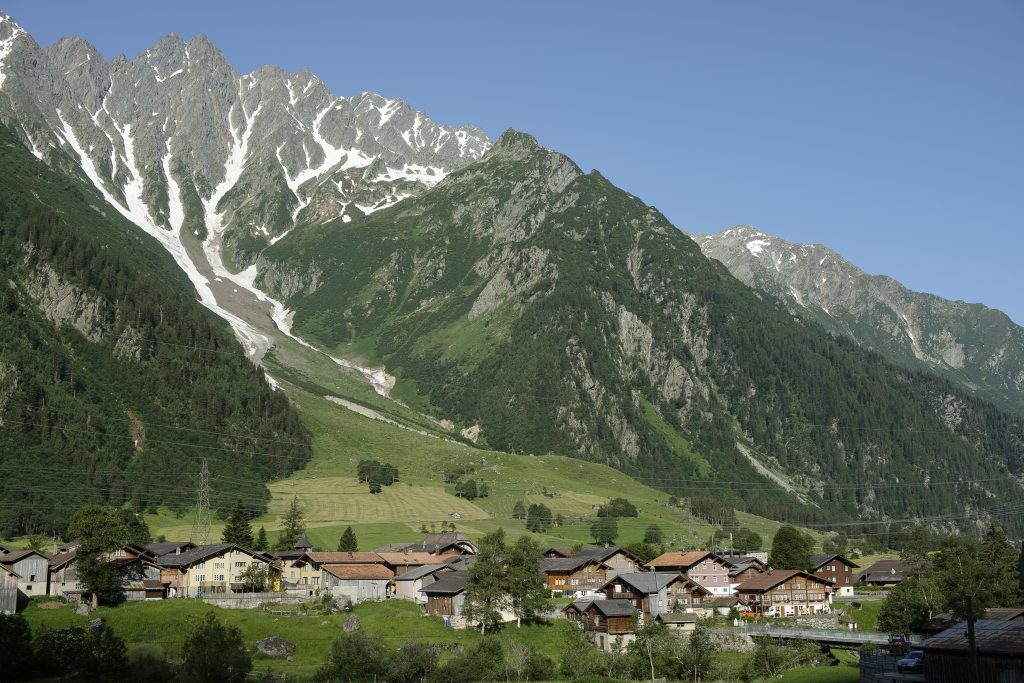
<point>974,347</point>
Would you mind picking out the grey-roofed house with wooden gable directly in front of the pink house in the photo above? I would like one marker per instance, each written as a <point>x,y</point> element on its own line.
<point>654,593</point>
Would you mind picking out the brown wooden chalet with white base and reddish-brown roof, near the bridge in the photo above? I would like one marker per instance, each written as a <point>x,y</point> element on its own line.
<point>787,593</point>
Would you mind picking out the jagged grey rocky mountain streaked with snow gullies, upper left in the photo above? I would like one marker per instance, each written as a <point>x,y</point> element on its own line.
<point>214,164</point>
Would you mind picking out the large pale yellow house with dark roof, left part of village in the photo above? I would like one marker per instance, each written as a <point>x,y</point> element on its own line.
<point>217,568</point>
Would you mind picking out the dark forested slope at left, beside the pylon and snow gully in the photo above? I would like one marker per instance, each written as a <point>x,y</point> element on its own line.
<point>115,383</point>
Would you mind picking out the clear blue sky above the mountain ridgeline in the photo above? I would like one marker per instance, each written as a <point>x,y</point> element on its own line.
<point>892,132</point>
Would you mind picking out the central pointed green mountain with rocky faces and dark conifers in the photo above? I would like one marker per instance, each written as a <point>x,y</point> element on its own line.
<point>548,311</point>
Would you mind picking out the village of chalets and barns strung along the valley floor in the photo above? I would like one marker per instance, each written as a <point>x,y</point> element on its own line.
<point>609,592</point>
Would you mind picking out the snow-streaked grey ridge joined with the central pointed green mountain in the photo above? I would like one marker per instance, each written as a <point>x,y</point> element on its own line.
<point>497,288</point>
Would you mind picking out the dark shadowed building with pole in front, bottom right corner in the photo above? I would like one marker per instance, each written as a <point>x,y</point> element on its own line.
<point>1000,654</point>
